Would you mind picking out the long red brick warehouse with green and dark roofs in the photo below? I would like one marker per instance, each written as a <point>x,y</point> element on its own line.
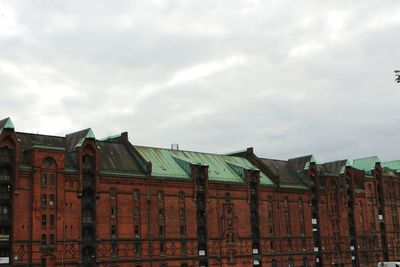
<point>79,201</point>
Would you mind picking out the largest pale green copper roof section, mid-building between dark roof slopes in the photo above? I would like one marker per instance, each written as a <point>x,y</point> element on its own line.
<point>176,164</point>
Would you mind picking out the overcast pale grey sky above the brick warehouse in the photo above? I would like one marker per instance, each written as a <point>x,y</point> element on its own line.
<point>289,78</point>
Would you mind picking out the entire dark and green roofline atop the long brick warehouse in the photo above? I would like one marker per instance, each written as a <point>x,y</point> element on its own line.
<point>117,157</point>
